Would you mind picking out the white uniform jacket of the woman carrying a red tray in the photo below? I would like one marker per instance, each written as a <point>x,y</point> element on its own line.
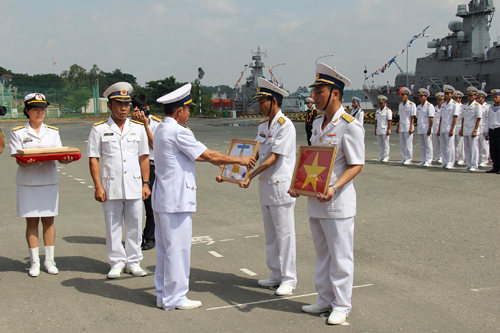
<point>25,137</point>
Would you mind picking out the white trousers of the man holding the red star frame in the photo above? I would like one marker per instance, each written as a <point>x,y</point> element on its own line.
<point>334,269</point>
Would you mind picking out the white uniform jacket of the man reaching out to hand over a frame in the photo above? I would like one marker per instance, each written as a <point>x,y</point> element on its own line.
<point>176,152</point>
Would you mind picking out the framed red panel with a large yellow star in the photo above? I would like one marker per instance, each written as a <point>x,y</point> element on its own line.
<point>313,170</point>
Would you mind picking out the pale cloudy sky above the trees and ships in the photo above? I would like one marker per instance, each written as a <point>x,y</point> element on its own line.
<point>156,39</point>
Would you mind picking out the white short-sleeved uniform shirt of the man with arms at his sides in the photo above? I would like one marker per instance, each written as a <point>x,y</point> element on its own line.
<point>119,152</point>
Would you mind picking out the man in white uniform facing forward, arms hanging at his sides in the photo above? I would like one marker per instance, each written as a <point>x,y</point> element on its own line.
<point>122,184</point>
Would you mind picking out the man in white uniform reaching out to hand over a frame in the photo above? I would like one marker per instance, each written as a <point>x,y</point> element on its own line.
<point>174,197</point>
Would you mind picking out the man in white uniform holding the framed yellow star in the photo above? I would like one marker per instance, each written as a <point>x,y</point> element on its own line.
<point>331,217</point>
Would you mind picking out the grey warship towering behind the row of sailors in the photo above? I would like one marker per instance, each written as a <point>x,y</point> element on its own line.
<point>463,58</point>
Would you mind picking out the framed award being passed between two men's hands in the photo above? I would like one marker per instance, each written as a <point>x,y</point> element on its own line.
<point>235,173</point>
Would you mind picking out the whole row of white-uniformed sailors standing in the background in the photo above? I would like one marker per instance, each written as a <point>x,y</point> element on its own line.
<point>455,132</point>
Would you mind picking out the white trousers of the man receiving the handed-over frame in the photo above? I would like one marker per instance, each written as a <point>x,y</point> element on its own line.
<point>279,227</point>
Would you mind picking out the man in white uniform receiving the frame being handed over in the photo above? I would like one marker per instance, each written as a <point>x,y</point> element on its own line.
<point>277,160</point>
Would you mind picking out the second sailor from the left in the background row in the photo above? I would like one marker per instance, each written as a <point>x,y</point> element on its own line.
<point>407,112</point>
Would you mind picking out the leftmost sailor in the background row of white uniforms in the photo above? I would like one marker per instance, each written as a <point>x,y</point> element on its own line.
<point>383,123</point>
